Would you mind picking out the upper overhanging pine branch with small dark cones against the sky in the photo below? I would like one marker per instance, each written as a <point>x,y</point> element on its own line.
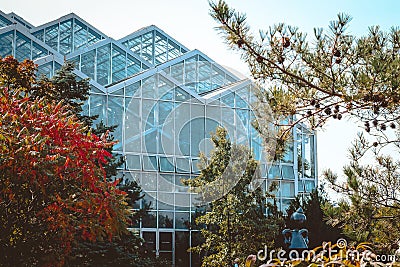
<point>327,76</point>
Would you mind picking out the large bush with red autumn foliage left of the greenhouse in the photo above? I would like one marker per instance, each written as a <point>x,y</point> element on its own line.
<point>53,190</point>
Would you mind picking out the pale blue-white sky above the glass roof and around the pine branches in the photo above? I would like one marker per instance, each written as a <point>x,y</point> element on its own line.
<point>189,23</point>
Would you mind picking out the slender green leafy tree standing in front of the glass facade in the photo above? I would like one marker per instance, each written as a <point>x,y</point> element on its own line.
<point>234,225</point>
